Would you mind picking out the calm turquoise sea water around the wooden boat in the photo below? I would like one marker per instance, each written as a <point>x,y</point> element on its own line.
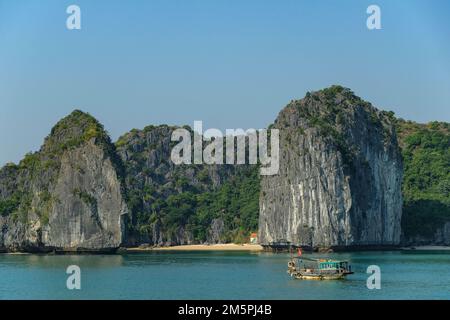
<point>219,275</point>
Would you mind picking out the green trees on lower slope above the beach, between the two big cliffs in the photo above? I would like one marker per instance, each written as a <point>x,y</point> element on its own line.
<point>236,202</point>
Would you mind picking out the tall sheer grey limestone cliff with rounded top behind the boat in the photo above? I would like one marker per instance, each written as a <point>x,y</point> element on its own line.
<point>340,175</point>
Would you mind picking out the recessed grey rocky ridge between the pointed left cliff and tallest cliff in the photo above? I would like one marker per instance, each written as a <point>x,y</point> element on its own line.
<point>174,204</point>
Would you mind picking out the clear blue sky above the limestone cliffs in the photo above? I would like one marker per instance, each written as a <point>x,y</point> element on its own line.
<point>232,64</point>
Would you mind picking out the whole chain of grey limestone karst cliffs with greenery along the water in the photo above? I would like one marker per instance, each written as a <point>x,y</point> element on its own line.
<point>351,176</point>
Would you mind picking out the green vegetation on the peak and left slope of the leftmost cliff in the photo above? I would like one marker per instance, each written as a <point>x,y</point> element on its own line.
<point>36,171</point>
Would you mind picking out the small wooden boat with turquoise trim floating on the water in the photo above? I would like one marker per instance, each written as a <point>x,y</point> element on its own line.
<point>318,269</point>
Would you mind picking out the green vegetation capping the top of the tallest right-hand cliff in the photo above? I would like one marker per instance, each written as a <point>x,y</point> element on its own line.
<point>330,112</point>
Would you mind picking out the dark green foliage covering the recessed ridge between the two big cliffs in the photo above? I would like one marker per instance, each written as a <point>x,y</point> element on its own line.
<point>185,197</point>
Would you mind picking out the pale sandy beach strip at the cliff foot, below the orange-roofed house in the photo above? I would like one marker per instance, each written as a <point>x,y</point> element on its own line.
<point>202,247</point>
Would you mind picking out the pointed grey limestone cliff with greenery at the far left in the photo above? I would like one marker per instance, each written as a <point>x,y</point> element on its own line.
<point>68,195</point>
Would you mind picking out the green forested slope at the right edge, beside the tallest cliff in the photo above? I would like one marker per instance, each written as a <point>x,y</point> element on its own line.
<point>426,181</point>
